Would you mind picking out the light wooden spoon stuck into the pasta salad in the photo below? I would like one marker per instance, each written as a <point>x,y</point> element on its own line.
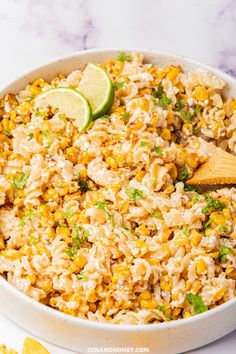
<point>219,169</point>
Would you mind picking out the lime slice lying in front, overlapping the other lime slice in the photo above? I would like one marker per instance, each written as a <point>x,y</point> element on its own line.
<point>69,102</point>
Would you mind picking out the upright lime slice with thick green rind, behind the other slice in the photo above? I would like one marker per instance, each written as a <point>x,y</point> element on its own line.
<point>97,87</point>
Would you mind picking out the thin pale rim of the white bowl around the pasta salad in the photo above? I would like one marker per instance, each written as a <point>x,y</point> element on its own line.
<point>104,325</point>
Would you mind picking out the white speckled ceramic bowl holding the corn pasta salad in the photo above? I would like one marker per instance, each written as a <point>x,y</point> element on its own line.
<point>77,334</point>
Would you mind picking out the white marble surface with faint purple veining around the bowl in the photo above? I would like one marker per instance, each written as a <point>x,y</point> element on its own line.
<point>32,31</point>
